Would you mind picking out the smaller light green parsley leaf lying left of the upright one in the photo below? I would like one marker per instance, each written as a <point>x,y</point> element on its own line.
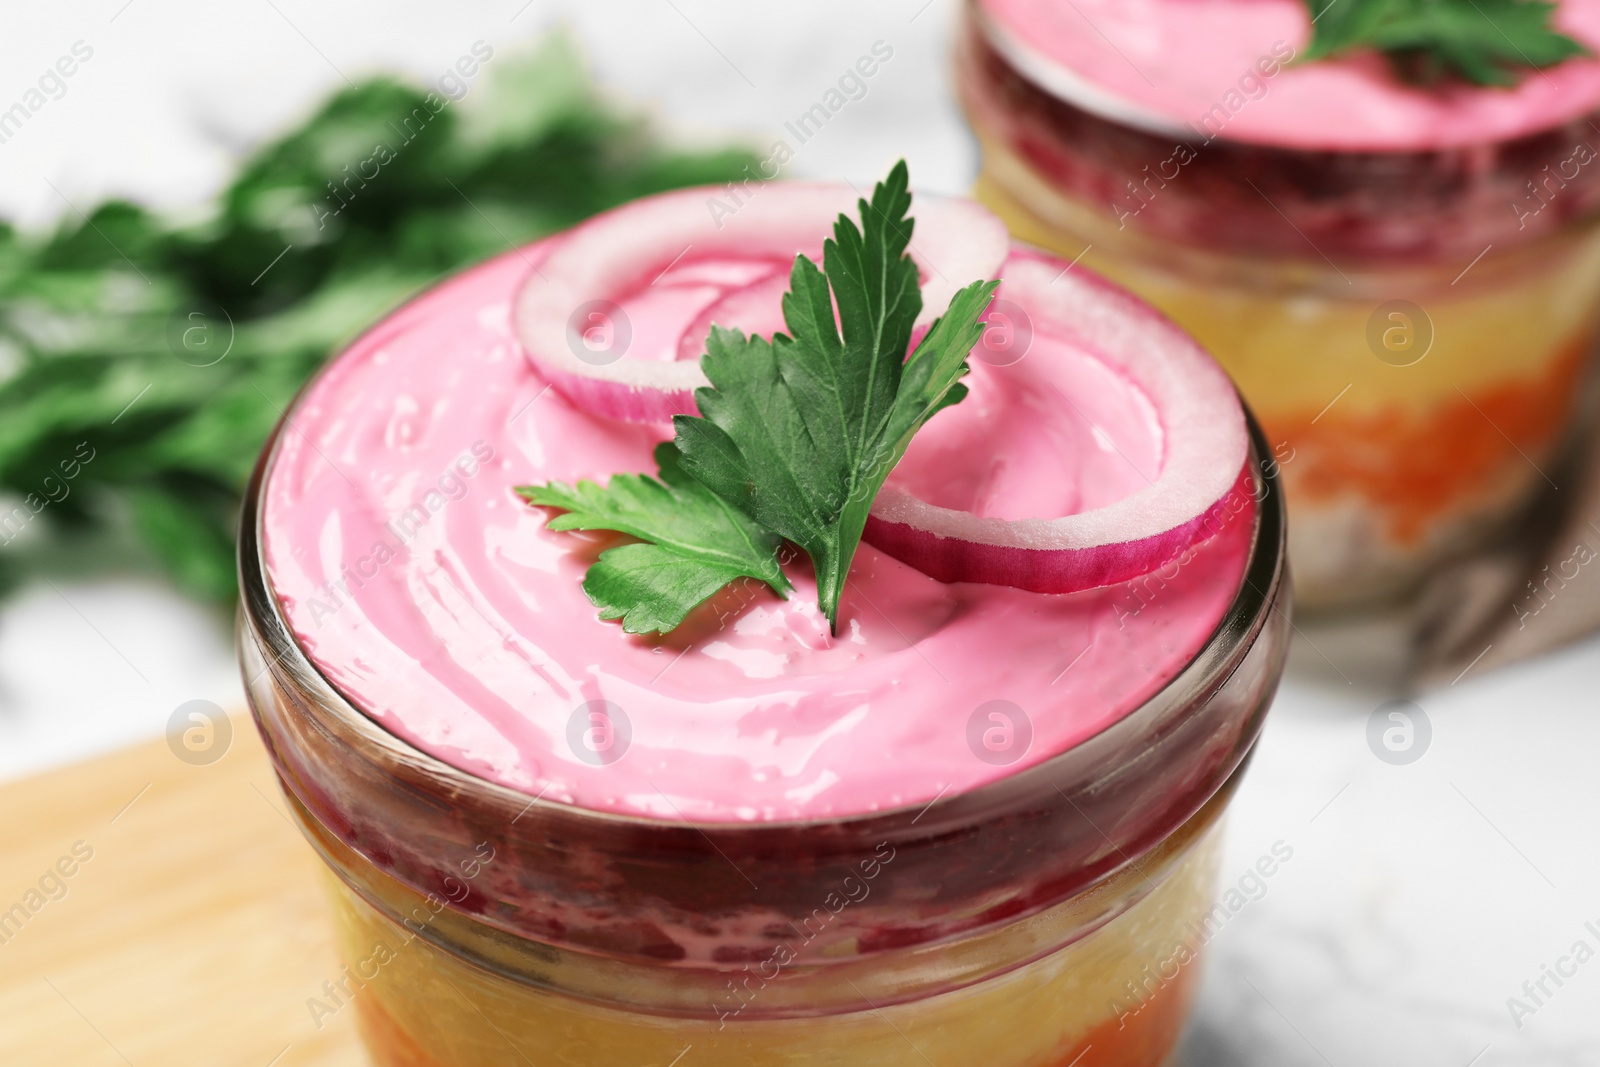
<point>694,543</point>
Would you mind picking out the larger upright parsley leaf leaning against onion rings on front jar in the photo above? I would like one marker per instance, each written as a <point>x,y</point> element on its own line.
<point>802,431</point>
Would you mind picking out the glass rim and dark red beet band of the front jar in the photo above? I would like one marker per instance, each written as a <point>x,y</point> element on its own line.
<point>1102,804</point>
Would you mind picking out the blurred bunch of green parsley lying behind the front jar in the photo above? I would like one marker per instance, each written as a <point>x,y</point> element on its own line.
<point>110,326</point>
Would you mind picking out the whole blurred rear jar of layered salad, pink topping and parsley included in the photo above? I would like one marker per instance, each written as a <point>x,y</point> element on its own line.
<point>1380,215</point>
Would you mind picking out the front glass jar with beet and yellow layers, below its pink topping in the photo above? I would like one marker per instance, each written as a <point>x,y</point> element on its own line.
<point>1052,917</point>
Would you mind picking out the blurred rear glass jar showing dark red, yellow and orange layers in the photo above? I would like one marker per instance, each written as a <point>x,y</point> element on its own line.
<point>1412,329</point>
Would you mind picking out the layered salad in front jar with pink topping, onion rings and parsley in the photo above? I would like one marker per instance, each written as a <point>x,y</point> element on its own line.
<point>702,526</point>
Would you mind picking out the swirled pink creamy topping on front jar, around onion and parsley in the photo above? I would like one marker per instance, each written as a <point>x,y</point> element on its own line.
<point>462,626</point>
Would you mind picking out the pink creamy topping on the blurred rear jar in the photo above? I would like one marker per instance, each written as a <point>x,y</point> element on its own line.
<point>1167,65</point>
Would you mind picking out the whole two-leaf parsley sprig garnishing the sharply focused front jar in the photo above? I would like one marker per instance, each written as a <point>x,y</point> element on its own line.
<point>796,434</point>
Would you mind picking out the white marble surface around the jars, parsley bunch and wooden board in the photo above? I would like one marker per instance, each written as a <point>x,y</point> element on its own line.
<point>1418,898</point>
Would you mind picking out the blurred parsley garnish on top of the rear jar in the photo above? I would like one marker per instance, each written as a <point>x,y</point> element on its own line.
<point>1486,42</point>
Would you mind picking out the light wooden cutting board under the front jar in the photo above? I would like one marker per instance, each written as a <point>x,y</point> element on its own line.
<point>191,929</point>
